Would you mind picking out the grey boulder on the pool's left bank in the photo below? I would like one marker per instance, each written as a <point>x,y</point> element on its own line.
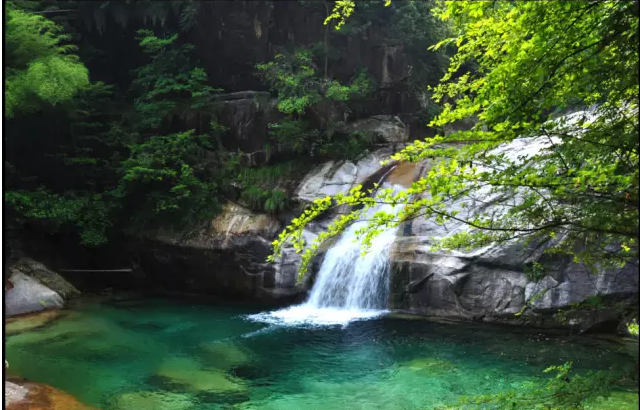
<point>35,288</point>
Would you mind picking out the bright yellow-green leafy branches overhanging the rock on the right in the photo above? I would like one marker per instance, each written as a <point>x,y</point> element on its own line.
<point>579,193</point>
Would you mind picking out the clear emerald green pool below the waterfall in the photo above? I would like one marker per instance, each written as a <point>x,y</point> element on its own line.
<point>188,356</point>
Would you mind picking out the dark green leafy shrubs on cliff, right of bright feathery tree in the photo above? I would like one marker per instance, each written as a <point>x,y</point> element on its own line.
<point>166,175</point>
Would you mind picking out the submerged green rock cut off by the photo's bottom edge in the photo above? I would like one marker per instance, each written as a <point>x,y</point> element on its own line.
<point>151,400</point>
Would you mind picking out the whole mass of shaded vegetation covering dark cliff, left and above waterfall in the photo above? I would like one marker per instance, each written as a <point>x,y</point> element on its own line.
<point>129,135</point>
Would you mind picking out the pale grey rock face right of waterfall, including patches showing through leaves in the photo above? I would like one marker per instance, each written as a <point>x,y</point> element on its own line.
<point>492,282</point>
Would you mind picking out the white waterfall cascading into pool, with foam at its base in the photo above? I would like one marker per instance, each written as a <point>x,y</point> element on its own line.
<point>349,286</point>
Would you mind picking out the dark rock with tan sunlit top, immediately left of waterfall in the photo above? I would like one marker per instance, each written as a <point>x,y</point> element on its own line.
<point>227,257</point>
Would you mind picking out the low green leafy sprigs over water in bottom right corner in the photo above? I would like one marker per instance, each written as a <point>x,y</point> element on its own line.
<point>565,391</point>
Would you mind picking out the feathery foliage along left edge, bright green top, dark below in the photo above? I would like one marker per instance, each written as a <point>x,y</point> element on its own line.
<point>43,74</point>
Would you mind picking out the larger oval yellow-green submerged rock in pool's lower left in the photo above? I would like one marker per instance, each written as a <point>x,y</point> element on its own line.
<point>187,374</point>
